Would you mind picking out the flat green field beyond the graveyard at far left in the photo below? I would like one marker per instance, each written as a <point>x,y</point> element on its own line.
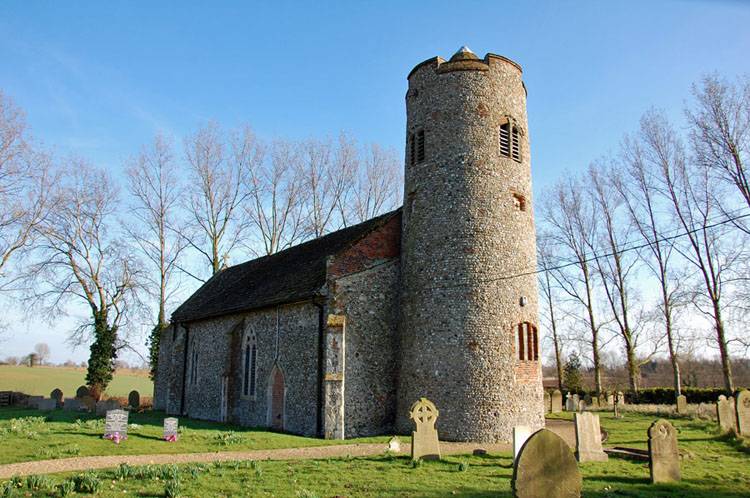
<point>42,380</point>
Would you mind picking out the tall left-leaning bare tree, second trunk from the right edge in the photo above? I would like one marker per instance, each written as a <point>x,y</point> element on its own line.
<point>639,192</point>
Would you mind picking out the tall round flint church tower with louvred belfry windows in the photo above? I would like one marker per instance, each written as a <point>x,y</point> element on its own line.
<point>469,295</point>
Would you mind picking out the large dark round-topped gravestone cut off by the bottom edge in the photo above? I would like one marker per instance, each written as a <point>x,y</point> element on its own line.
<point>546,467</point>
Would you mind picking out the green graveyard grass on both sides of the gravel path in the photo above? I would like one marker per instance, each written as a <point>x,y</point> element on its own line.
<point>715,466</point>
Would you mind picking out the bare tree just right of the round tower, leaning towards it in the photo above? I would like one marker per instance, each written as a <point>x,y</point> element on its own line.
<point>571,221</point>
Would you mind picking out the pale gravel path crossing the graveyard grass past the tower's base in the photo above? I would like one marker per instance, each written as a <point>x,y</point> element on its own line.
<point>563,428</point>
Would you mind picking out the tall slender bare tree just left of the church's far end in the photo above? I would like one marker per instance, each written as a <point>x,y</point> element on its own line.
<point>155,226</point>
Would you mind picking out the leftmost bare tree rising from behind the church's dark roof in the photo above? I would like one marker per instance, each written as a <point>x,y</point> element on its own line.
<point>214,196</point>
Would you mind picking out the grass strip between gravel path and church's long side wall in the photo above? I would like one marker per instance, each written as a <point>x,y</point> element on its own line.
<point>27,434</point>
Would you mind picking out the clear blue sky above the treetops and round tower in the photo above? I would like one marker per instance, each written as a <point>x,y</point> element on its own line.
<point>99,79</point>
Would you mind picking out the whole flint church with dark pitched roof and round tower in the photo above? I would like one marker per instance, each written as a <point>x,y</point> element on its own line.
<point>338,336</point>
